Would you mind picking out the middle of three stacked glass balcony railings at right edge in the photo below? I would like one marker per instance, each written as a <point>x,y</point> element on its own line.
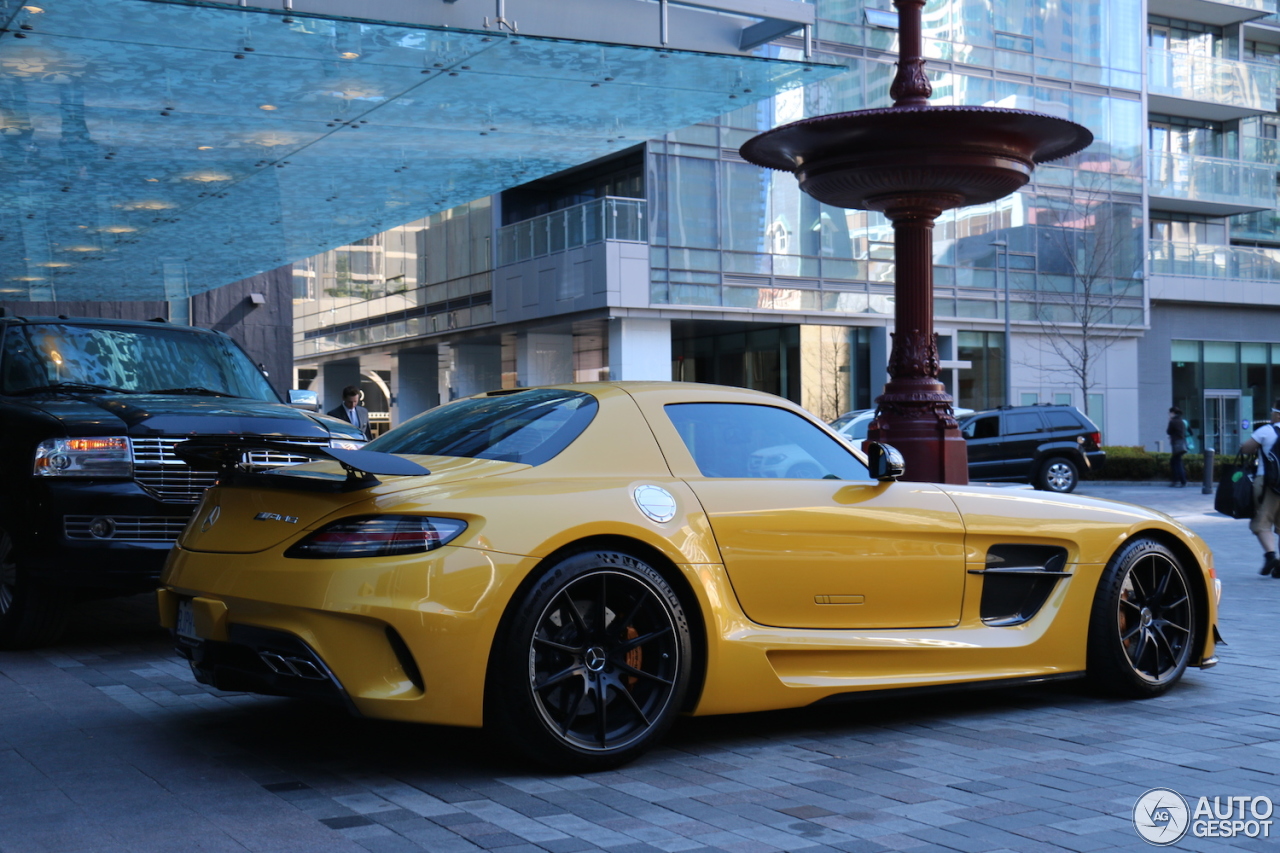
<point>1217,180</point>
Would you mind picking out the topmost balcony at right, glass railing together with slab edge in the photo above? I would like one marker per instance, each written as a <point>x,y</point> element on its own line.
<point>1210,89</point>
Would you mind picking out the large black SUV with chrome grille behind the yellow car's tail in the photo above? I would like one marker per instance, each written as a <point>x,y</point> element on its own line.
<point>92,492</point>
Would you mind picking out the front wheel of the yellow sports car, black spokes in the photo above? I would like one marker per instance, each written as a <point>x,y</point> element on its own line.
<point>1144,626</point>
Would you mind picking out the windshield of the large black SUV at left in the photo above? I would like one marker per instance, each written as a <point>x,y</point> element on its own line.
<point>127,359</point>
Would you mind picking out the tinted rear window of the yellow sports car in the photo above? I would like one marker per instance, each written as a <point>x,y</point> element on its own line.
<point>527,427</point>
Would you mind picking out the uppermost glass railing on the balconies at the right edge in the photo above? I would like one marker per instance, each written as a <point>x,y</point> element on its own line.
<point>1206,79</point>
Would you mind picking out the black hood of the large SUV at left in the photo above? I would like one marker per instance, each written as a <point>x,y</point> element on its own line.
<point>185,416</point>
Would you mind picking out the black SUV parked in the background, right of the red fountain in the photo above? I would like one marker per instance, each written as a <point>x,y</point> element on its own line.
<point>1048,446</point>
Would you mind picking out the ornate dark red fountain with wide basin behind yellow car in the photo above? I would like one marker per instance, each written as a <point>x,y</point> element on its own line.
<point>912,162</point>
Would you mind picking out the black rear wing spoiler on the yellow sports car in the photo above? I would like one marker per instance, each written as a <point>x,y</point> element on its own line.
<point>227,455</point>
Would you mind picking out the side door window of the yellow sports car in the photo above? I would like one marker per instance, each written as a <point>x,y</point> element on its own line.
<point>740,440</point>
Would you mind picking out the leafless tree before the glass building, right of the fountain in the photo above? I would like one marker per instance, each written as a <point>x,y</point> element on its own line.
<point>1094,243</point>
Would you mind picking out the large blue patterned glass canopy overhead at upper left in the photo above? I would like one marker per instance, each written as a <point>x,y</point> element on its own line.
<point>150,150</point>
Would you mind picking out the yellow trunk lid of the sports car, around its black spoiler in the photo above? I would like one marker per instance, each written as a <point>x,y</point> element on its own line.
<point>248,519</point>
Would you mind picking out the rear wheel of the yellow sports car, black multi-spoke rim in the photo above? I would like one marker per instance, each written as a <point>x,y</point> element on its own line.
<point>596,624</point>
